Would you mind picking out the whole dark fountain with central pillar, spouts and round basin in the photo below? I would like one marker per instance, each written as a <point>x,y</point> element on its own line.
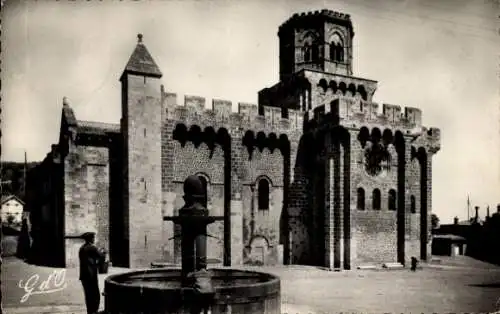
<point>161,291</point>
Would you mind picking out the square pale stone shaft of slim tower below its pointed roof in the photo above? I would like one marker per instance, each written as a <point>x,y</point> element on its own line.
<point>142,114</point>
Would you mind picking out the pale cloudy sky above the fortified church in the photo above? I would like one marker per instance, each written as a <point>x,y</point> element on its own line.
<point>440,56</point>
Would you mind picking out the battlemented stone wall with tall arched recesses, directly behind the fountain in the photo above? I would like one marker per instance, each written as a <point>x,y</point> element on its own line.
<point>179,162</point>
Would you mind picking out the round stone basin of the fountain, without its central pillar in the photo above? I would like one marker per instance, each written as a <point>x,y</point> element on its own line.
<point>159,291</point>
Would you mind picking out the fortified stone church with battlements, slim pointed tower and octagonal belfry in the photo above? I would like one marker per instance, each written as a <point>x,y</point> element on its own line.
<point>314,174</point>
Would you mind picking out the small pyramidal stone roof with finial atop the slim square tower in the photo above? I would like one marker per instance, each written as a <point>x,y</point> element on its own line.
<point>141,62</point>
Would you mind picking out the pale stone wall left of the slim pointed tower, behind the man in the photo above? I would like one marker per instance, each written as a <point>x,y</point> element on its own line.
<point>86,177</point>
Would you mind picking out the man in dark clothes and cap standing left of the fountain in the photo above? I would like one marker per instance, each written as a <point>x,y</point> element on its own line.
<point>90,258</point>
